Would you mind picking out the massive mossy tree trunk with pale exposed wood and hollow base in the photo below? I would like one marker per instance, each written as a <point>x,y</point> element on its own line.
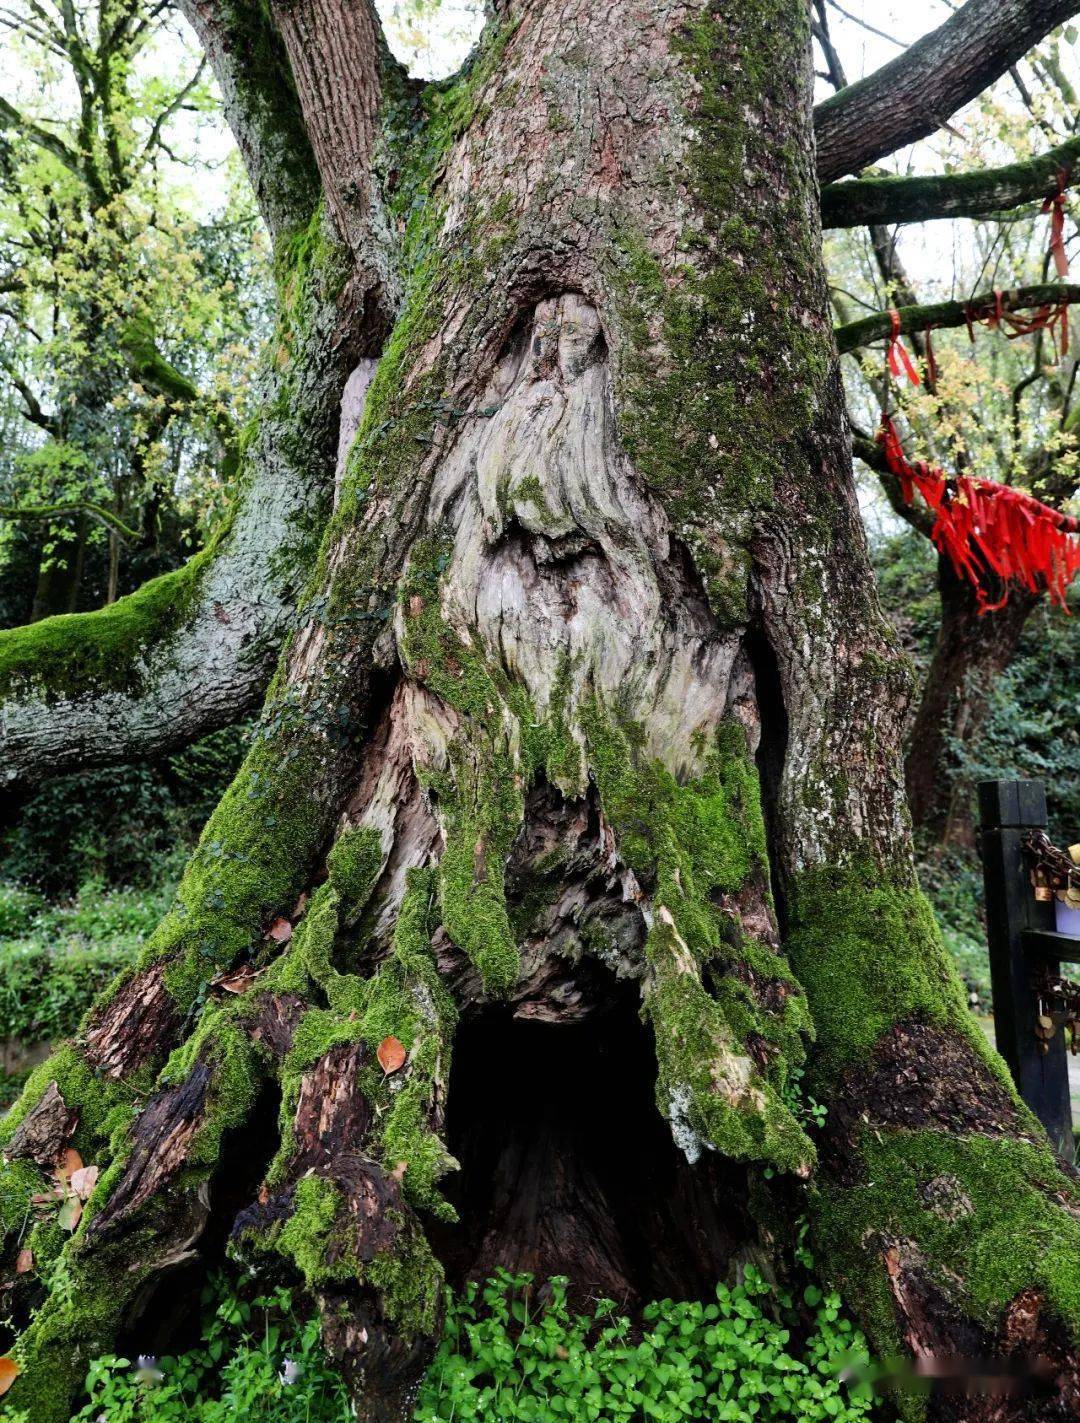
<point>591,714</point>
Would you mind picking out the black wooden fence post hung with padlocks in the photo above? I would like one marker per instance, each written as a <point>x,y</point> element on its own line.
<point>1007,810</point>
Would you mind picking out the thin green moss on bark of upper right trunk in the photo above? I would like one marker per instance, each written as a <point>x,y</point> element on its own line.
<point>698,412</point>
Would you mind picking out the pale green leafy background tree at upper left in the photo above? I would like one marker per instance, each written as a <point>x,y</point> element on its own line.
<point>96,238</point>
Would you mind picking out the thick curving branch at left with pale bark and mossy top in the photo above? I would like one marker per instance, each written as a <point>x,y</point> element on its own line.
<point>193,651</point>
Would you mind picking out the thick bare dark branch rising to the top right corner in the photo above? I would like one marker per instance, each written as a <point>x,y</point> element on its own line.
<point>916,93</point>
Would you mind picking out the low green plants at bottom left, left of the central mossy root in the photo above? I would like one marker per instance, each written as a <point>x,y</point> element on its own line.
<point>248,1348</point>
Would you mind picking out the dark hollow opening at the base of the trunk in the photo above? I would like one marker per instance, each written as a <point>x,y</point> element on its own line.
<point>568,1168</point>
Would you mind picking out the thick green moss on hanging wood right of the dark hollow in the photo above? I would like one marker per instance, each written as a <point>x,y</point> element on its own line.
<point>692,845</point>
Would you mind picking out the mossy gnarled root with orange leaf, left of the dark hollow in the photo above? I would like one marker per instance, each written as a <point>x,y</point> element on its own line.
<point>362,1111</point>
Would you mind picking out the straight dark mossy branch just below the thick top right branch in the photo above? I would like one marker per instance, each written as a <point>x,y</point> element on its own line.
<point>882,200</point>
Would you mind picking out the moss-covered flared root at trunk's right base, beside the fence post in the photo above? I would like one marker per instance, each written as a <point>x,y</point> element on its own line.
<point>940,1209</point>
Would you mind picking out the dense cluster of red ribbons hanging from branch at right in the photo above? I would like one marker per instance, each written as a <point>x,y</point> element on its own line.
<point>984,526</point>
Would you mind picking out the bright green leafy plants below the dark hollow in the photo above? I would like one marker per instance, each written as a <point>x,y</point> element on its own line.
<point>746,1355</point>
